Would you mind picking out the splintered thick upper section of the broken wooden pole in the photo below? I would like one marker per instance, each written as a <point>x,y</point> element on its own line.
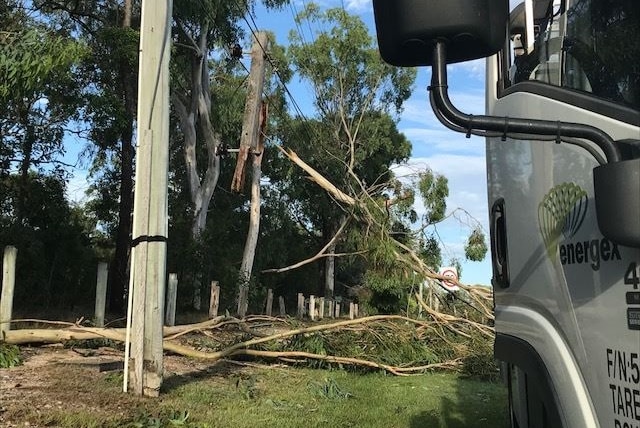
<point>251,119</point>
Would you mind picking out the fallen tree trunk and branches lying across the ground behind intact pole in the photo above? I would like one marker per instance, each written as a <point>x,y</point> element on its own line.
<point>393,343</point>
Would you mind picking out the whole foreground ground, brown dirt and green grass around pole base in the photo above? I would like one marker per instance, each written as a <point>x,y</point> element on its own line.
<point>238,397</point>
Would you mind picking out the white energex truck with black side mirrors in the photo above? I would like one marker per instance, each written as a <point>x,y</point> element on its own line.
<point>562,126</point>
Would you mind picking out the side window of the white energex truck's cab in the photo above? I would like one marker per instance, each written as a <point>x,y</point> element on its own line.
<point>591,46</point>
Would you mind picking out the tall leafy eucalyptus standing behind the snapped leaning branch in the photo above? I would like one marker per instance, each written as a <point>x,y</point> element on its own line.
<point>354,139</point>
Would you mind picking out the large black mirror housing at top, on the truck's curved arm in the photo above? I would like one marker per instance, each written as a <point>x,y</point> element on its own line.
<point>408,29</point>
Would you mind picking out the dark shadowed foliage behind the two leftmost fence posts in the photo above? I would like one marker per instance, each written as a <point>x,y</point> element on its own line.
<point>56,256</point>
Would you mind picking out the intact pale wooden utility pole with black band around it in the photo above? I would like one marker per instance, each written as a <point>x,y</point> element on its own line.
<point>148,248</point>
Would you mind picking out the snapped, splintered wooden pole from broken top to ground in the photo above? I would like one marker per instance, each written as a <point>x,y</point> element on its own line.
<point>250,143</point>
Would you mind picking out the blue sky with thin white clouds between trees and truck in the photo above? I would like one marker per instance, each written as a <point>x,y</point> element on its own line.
<point>460,159</point>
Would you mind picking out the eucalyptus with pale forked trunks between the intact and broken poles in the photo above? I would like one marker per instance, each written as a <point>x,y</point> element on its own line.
<point>202,29</point>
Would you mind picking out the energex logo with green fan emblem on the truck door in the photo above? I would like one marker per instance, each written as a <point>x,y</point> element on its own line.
<point>560,215</point>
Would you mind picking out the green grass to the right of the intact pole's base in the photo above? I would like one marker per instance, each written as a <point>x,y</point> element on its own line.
<point>320,398</point>
